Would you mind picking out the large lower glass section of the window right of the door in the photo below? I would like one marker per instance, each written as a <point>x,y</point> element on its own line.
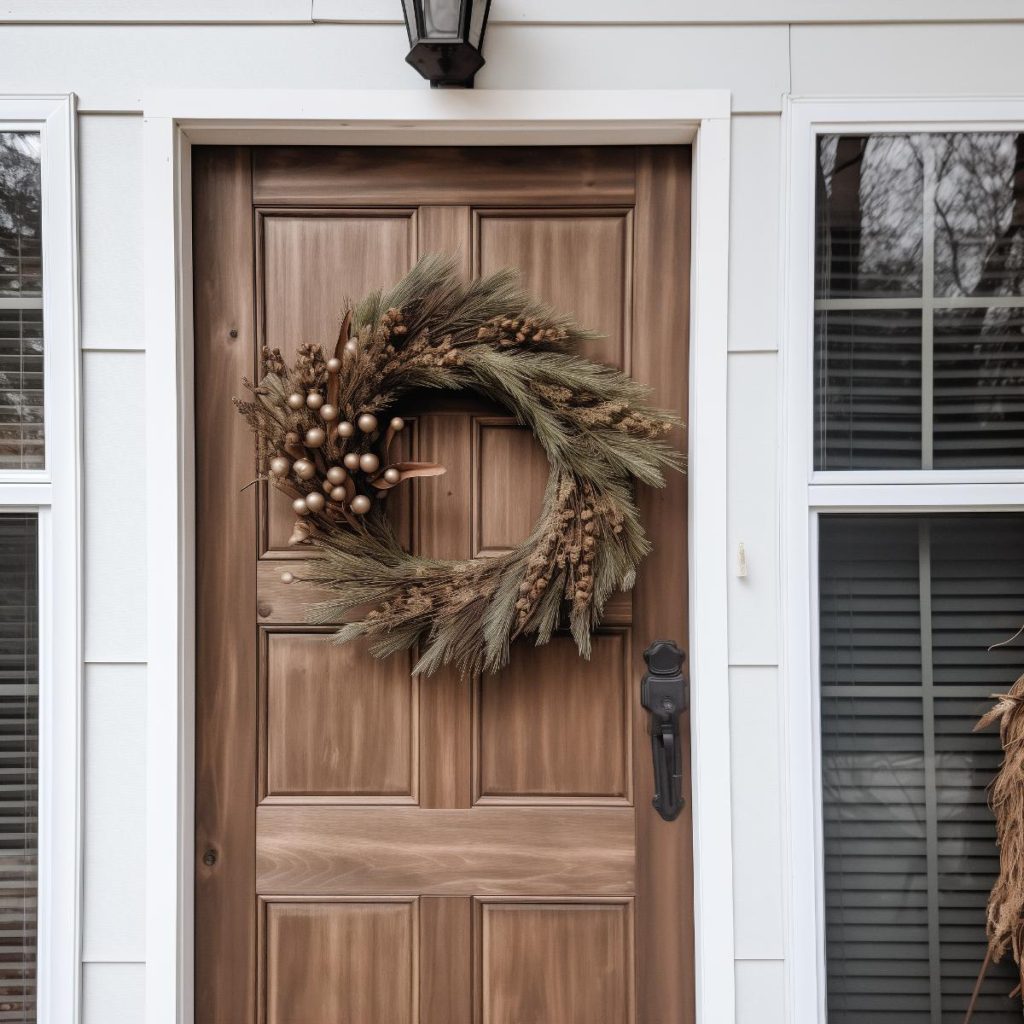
<point>910,607</point>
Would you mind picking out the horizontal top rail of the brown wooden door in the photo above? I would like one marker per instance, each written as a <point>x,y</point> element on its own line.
<point>433,177</point>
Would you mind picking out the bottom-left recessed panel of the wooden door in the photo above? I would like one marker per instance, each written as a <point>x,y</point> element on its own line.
<point>339,962</point>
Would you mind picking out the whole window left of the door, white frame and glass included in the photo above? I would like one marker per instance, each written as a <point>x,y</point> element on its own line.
<point>40,635</point>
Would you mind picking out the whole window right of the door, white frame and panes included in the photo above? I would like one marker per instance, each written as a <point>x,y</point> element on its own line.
<point>905,561</point>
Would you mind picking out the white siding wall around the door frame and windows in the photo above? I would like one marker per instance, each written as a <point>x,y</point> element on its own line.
<point>531,46</point>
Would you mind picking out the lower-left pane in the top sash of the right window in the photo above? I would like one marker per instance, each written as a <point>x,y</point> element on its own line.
<point>868,366</point>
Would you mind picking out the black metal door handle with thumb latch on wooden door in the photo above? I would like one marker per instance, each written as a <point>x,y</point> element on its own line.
<point>665,693</point>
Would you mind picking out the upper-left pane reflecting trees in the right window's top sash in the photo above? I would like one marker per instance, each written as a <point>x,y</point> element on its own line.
<point>870,226</point>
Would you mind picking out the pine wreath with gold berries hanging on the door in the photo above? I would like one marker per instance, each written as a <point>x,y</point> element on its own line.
<point>325,428</point>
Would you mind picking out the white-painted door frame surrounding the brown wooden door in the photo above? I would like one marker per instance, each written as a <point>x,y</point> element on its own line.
<point>177,121</point>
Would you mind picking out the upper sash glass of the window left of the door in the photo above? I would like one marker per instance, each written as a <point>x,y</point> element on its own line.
<point>21,304</point>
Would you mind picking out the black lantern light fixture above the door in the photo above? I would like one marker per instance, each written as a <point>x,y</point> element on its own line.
<point>447,39</point>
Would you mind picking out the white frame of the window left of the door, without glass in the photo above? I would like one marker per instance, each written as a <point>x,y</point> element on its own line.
<point>55,495</point>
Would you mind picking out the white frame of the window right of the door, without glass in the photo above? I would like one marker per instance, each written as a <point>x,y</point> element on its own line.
<point>807,493</point>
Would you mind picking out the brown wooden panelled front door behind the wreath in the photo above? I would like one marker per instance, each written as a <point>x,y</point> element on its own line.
<point>377,849</point>
